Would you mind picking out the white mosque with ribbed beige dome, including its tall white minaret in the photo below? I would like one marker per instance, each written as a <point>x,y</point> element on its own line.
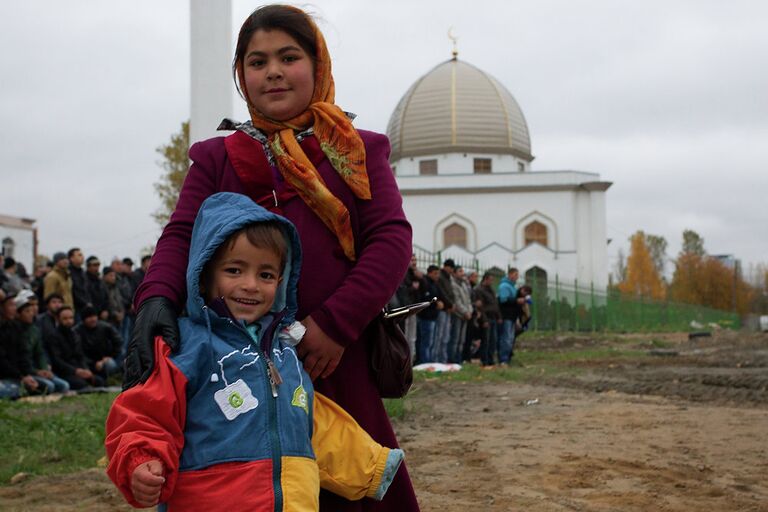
<point>461,153</point>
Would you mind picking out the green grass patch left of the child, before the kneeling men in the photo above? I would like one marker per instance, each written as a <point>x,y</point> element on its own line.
<point>52,438</point>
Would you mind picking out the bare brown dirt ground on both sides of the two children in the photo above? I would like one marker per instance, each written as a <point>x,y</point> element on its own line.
<point>683,430</point>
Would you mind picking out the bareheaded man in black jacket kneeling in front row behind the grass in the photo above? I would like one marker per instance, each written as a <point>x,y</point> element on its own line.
<point>66,352</point>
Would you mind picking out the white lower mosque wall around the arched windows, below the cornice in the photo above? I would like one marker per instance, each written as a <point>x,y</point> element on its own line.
<point>495,223</point>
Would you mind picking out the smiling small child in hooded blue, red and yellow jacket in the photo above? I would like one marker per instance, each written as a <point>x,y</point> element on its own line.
<point>231,421</point>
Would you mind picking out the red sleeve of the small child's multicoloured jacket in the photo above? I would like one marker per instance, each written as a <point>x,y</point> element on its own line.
<point>147,422</point>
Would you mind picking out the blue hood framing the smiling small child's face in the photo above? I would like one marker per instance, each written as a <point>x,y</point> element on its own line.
<point>221,215</point>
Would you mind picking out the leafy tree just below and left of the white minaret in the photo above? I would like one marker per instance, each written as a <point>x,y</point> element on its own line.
<point>175,163</point>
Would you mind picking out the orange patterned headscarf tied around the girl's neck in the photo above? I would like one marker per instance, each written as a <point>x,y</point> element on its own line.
<point>338,139</point>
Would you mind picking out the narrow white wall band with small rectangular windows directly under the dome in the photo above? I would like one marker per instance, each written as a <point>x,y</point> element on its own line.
<point>460,163</point>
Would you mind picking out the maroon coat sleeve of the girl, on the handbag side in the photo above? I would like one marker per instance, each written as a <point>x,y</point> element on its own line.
<point>385,252</point>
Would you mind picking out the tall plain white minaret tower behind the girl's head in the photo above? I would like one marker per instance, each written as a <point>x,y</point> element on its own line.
<point>211,66</point>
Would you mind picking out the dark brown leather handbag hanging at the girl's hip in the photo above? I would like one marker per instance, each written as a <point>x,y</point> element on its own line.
<point>390,355</point>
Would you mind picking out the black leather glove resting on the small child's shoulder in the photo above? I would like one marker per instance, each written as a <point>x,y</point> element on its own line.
<point>156,316</point>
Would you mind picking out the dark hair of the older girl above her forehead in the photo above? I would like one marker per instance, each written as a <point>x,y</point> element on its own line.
<point>295,22</point>
